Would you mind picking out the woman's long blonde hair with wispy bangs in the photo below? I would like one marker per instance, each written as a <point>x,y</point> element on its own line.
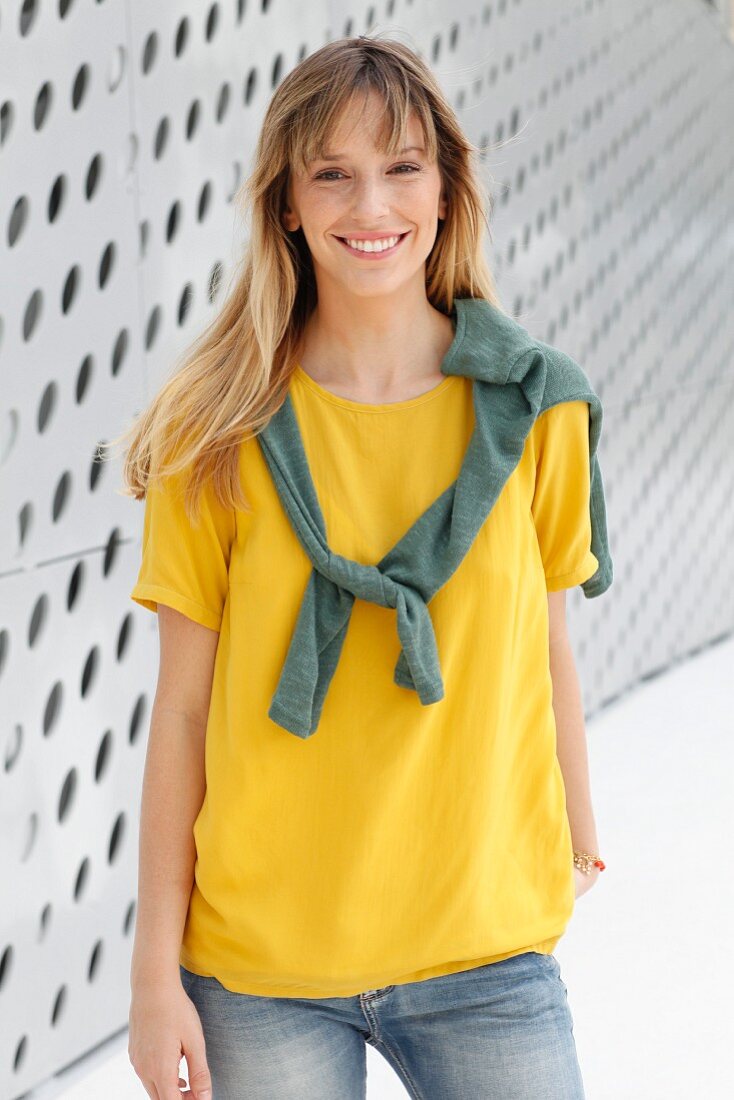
<point>237,373</point>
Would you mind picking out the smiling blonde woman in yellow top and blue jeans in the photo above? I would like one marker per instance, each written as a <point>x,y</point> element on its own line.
<point>364,821</point>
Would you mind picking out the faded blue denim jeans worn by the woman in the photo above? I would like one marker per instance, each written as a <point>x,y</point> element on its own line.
<point>502,1031</point>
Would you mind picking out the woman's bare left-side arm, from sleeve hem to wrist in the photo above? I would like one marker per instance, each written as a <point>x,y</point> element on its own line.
<point>174,786</point>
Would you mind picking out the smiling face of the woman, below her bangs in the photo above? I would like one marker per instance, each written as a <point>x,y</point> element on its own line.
<point>365,194</point>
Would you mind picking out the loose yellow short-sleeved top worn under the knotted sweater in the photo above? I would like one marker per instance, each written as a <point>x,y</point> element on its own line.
<point>400,842</point>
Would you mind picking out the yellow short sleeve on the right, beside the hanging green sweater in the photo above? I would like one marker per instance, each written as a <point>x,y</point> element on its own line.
<point>562,501</point>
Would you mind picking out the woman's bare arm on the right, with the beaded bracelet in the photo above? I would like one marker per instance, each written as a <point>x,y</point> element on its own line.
<point>571,730</point>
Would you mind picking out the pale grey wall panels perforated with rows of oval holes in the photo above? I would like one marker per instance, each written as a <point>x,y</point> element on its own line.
<point>126,129</point>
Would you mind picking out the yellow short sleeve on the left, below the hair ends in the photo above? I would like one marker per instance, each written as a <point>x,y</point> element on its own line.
<point>185,566</point>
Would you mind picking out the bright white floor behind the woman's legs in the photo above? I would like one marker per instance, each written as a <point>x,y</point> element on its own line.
<point>647,959</point>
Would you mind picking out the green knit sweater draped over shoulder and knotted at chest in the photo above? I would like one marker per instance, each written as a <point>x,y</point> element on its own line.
<point>516,378</point>
